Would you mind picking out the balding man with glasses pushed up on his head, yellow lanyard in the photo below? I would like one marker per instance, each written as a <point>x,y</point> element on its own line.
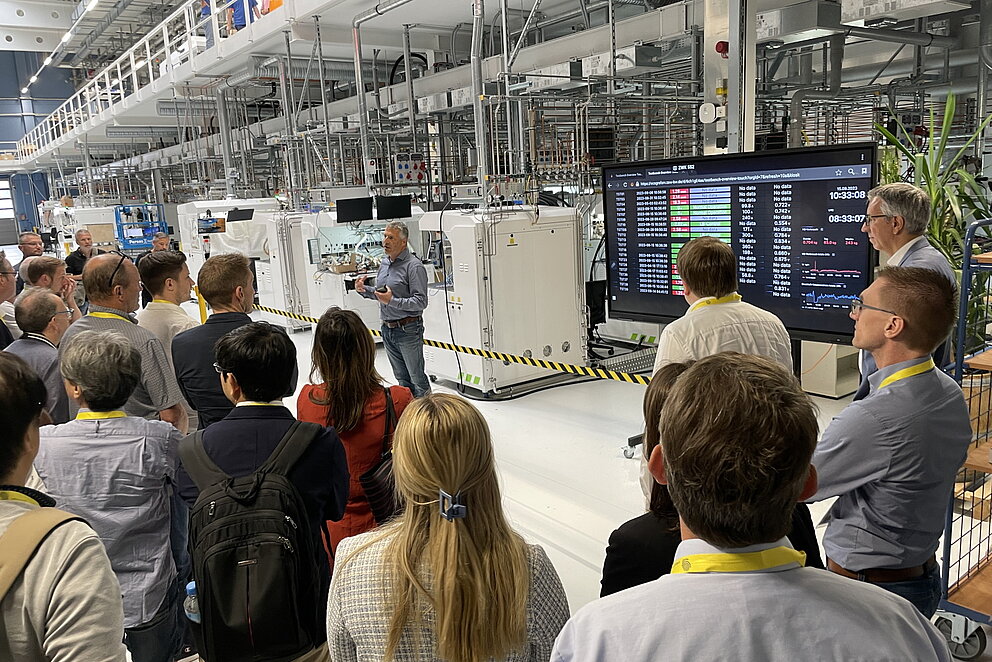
<point>113,286</point>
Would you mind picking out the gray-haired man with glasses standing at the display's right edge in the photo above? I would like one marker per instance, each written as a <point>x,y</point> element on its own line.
<point>896,224</point>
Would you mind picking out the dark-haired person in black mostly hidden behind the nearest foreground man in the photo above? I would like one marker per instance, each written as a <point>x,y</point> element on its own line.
<point>643,549</point>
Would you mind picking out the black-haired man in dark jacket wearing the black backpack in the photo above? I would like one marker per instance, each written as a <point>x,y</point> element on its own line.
<point>255,365</point>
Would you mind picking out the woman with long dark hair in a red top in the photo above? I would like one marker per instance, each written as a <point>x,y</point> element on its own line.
<point>352,399</point>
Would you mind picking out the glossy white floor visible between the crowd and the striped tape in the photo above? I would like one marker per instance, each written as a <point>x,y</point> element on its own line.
<point>566,483</point>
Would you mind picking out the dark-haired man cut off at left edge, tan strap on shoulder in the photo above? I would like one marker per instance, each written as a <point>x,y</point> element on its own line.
<point>66,603</point>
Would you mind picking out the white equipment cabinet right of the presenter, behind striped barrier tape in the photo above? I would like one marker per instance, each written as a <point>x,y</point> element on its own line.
<point>514,286</point>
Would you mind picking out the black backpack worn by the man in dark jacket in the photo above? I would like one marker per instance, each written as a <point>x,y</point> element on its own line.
<point>256,577</point>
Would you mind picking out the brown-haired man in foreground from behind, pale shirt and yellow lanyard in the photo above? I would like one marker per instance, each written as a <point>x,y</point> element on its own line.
<point>738,590</point>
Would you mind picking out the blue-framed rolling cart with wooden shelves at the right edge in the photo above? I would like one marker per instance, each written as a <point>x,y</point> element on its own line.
<point>966,600</point>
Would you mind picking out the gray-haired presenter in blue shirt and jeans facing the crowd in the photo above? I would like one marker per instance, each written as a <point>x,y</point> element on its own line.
<point>401,290</point>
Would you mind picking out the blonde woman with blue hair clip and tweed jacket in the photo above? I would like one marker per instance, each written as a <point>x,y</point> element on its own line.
<point>449,579</point>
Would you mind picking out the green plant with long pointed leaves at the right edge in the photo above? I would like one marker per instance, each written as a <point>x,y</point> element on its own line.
<point>956,199</point>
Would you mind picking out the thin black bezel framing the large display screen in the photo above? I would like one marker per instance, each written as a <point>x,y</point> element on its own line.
<point>794,332</point>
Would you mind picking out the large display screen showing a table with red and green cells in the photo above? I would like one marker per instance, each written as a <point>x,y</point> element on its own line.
<point>793,218</point>
